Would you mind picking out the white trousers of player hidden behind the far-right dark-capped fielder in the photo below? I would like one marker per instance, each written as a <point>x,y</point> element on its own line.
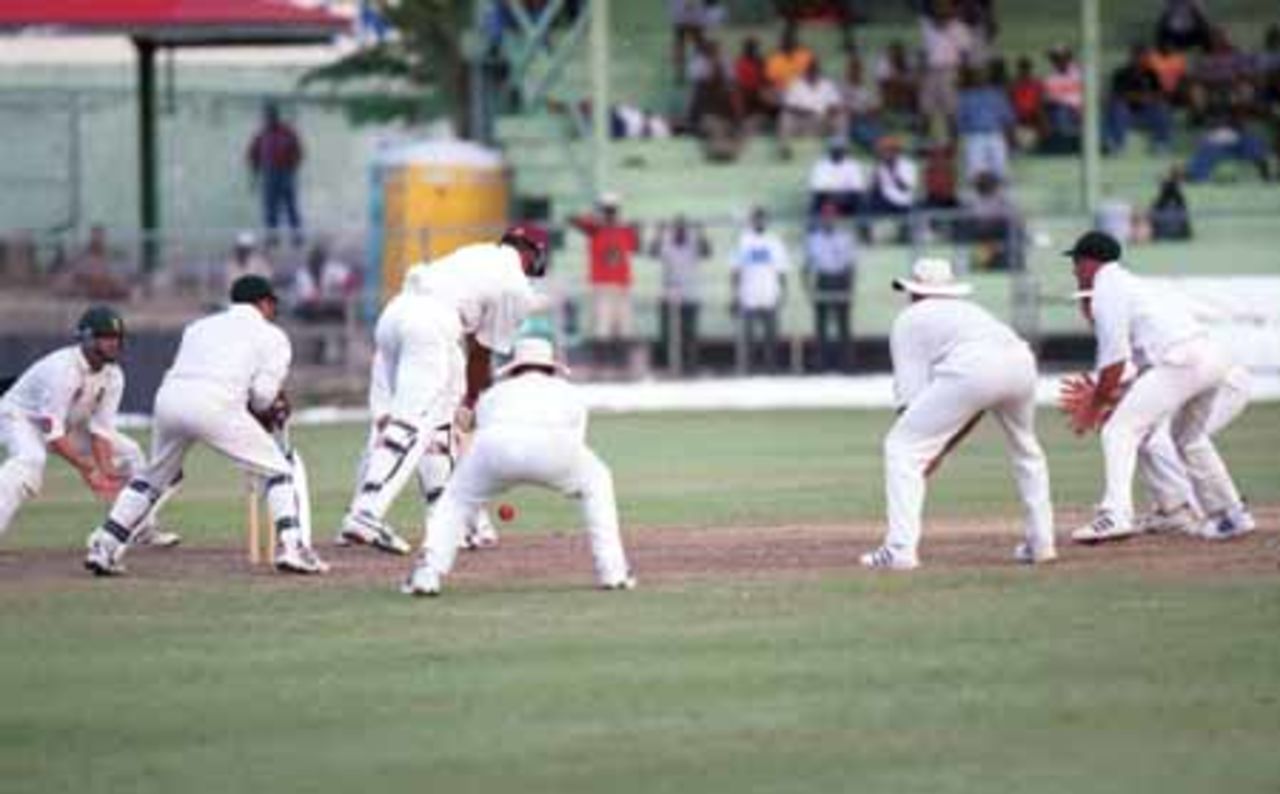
<point>1160,467</point>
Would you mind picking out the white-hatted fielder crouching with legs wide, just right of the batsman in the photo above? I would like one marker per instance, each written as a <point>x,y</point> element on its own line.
<point>531,430</point>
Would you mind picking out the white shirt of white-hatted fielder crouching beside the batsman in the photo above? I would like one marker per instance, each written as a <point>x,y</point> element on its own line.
<point>533,401</point>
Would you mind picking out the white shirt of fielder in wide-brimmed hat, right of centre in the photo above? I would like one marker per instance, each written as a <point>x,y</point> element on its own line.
<point>944,337</point>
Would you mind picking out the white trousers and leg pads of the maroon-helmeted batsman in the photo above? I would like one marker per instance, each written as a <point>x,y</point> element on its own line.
<point>417,382</point>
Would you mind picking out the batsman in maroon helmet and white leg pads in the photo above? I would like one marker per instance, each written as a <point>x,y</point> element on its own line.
<point>435,343</point>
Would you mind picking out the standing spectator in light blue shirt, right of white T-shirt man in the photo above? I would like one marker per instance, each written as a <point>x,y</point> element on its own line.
<point>831,264</point>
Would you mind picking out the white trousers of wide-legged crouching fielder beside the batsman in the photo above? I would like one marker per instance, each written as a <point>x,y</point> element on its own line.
<point>505,457</point>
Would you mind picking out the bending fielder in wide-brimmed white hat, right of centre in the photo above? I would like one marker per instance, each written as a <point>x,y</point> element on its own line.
<point>953,362</point>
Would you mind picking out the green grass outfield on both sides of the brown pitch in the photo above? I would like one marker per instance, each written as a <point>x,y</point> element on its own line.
<point>953,679</point>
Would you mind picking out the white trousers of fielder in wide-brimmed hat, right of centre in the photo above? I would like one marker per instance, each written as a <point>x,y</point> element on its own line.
<point>1003,386</point>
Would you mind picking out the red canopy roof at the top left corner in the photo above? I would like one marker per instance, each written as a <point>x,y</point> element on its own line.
<point>177,21</point>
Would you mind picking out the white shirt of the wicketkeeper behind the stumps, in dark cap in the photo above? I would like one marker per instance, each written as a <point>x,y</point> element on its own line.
<point>237,353</point>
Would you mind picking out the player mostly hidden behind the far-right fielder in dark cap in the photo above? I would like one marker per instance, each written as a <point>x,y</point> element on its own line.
<point>1173,506</point>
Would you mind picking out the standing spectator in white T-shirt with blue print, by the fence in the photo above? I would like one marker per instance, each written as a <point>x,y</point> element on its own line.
<point>760,284</point>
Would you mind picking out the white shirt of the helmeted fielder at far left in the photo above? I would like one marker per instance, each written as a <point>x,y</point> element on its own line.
<point>61,393</point>
